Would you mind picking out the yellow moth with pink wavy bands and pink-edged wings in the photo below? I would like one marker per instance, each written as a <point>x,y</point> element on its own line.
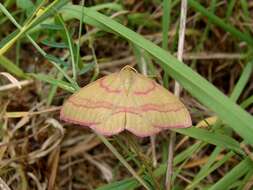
<point>125,100</point>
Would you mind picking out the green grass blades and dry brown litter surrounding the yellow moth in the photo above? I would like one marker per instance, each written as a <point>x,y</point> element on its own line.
<point>51,49</point>
